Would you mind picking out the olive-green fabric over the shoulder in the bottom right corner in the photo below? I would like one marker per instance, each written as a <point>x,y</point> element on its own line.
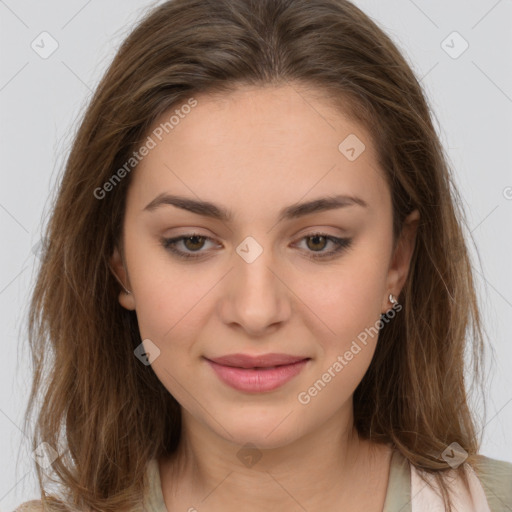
<point>496,479</point>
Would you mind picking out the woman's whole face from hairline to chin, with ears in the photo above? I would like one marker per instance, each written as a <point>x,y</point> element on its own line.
<point>253,285</point>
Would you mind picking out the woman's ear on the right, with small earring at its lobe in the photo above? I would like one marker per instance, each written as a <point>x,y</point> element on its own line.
<point>401,259</point>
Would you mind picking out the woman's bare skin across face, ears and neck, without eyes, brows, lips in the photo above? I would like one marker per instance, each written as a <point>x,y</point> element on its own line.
<point>256,151</point>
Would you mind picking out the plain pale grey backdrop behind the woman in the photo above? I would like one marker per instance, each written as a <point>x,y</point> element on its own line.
<point>469,89</point>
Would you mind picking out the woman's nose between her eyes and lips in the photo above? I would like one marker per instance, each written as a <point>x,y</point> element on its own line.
<point>255,298</point>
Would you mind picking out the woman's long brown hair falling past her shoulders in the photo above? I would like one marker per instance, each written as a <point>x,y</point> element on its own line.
<point>105,413</point>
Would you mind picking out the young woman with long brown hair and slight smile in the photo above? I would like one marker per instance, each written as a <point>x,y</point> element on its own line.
<point>255,293</point>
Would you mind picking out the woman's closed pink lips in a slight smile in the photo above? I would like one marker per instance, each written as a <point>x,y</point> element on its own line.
<point>255,374</point>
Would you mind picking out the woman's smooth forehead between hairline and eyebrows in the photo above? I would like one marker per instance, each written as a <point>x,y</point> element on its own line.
<point>266,145</point>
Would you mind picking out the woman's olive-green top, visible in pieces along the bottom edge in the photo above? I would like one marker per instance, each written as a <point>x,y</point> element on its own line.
<point>495,477</point>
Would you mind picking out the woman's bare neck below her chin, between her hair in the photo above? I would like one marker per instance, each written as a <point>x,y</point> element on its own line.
<point>314,471</point>
